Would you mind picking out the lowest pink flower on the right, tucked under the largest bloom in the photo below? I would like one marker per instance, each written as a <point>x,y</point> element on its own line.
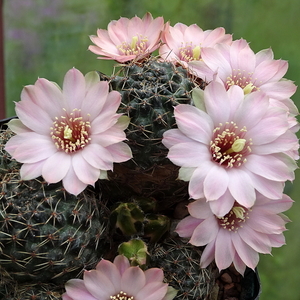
<point>239,236</point>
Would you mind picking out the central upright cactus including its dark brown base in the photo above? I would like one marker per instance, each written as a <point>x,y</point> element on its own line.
<point>150,89</point>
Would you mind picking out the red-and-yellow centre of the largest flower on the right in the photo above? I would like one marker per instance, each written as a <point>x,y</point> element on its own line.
<point>229,147</point>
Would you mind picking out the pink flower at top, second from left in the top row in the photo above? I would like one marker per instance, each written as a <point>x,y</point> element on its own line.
<point>183,43</point>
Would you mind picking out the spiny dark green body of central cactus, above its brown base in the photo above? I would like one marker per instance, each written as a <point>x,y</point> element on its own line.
<point>149,93</point>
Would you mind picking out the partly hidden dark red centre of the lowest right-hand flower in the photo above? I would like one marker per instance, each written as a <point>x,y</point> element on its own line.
<point>234,220</point>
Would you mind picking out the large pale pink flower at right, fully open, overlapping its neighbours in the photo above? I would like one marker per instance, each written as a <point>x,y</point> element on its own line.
<point>235,144</point>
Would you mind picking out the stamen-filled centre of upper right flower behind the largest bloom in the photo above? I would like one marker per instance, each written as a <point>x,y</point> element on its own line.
<point>243,79</point>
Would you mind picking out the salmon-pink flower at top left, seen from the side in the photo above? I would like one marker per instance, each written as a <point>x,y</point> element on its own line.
<point>128,39</point>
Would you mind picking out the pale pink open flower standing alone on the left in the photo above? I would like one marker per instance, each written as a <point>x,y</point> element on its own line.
<point>73,134</point>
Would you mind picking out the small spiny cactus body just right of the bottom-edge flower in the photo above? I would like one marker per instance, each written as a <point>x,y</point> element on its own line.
<point>180,262</point>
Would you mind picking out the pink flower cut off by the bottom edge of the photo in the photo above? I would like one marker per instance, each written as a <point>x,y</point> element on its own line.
<point>117,281</point>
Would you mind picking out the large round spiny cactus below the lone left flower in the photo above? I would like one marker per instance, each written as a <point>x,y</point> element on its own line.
<point>47,234</point>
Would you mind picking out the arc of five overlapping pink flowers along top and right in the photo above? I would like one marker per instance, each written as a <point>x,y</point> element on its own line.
<point>236,146</point>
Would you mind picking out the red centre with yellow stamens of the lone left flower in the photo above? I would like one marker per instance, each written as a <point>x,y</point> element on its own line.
<point>71,133</point>
